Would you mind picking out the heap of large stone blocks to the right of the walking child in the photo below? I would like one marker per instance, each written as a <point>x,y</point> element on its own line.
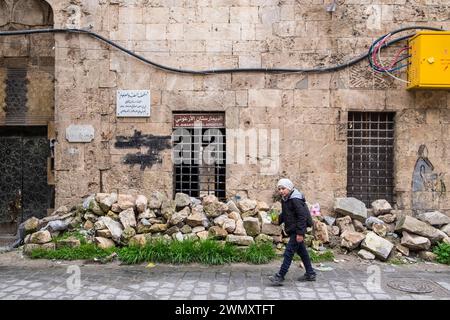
<point>381,232</point>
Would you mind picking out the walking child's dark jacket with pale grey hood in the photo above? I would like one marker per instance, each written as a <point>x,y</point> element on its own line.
<point>295,214</point>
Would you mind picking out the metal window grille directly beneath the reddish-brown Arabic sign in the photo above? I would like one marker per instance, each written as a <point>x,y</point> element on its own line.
<point>200,169</point>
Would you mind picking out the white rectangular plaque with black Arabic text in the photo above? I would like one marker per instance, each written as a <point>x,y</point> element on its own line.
<point>133,103</point>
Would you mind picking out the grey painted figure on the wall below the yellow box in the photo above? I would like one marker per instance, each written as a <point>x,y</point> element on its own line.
<point>427,184</point>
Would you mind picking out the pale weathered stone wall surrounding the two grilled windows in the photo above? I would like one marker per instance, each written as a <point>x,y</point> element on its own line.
<point>310,110</point>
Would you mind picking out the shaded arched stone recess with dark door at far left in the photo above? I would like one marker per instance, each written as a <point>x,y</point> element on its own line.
<point>27,74</point>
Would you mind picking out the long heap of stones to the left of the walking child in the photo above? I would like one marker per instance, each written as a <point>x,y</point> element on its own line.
<point>109,219</point>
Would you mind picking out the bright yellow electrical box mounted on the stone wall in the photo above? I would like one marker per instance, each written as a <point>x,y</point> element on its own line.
<point>429,62</point>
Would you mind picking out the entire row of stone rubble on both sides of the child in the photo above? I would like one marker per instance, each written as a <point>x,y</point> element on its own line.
<point>111,219</point>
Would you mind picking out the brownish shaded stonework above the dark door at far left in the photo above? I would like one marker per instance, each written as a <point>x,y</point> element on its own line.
<point>35,54</point>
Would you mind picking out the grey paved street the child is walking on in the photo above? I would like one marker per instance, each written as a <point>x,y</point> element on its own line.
<point>21,278</point>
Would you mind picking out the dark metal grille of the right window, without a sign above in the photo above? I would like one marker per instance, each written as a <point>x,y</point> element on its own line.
<point>370,156</point>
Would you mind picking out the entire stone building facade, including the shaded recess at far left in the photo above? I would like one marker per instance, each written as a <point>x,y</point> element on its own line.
<point>73,79</point>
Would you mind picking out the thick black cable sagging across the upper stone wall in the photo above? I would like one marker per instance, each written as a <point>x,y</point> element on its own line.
<point>219,71</point>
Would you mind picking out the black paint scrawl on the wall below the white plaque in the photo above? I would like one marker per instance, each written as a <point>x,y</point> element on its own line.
<point>155,145</point>
